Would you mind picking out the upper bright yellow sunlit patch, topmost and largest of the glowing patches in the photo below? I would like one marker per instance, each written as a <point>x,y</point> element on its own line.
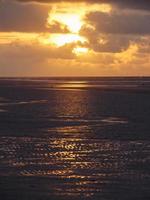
<point>73,16</point>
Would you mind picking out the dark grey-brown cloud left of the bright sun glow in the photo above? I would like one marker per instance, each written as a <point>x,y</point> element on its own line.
<point>22,17</point>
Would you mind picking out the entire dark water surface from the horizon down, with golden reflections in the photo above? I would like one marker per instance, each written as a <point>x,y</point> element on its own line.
<point>76,138</point>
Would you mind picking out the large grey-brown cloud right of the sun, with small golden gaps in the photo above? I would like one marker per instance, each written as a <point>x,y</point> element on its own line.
<point>115,31</point>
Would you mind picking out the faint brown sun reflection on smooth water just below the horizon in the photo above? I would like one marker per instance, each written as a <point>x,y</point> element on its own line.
<point>70,105</point>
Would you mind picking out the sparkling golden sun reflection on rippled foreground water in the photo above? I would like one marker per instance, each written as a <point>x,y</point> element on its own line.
<point>72,167</point>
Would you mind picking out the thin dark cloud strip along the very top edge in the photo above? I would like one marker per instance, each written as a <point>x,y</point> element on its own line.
<point>131,4</point>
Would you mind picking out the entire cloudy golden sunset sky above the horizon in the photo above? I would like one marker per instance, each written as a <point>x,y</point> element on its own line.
<point>74,38</point>
